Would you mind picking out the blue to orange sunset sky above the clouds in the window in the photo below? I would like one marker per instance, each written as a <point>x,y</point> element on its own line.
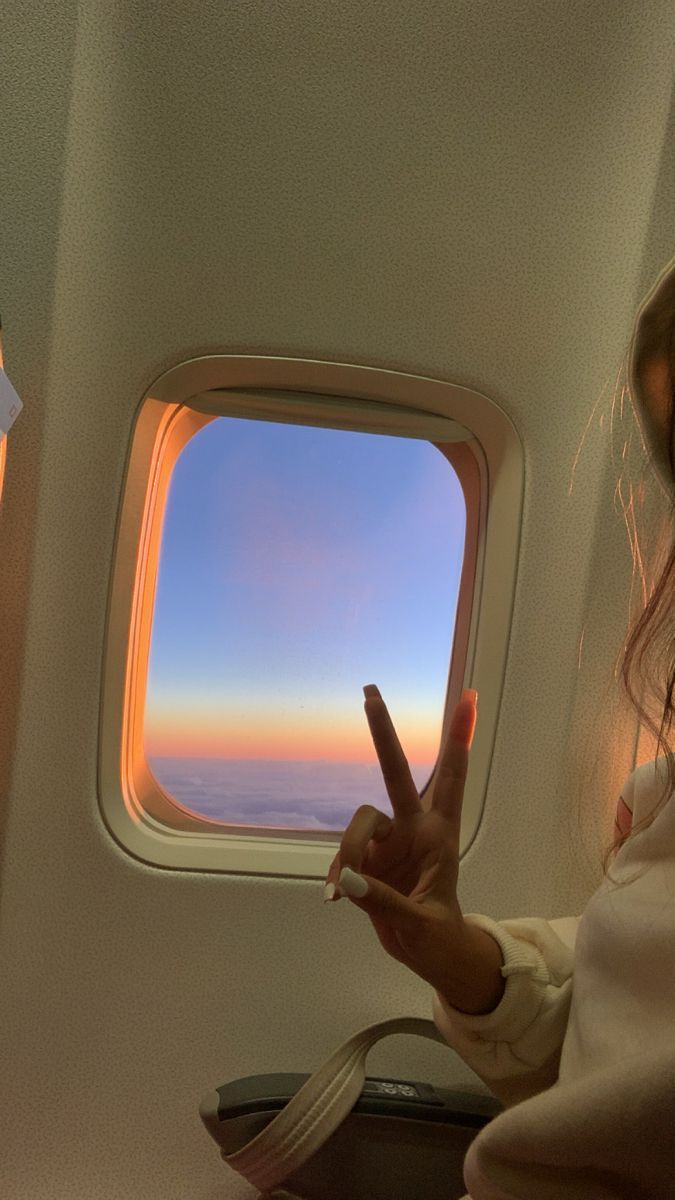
<point>298,565</point>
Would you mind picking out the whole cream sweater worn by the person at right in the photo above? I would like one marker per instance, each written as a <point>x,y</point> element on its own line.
<point>582,1047</point>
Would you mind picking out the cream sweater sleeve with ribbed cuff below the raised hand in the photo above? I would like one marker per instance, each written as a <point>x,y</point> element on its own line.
<point>516,1049</point>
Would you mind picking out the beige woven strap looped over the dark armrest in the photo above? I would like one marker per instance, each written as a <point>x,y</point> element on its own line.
<point>319,1108</point>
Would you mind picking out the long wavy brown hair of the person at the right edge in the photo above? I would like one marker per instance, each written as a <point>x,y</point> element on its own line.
<point>648,664</point>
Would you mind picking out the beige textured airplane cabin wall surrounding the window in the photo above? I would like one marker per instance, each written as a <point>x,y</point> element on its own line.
<point>480,194</point>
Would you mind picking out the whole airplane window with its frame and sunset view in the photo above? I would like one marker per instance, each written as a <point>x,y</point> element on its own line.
<point>290,531</point>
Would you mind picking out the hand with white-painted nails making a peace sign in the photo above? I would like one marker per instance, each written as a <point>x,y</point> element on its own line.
<point>404,872</point>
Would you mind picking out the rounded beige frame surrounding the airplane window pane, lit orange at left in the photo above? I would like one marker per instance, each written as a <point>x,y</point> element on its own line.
<point>482,446</point>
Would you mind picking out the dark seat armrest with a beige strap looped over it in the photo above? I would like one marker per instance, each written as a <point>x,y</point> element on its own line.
<point>339,1133</point>
